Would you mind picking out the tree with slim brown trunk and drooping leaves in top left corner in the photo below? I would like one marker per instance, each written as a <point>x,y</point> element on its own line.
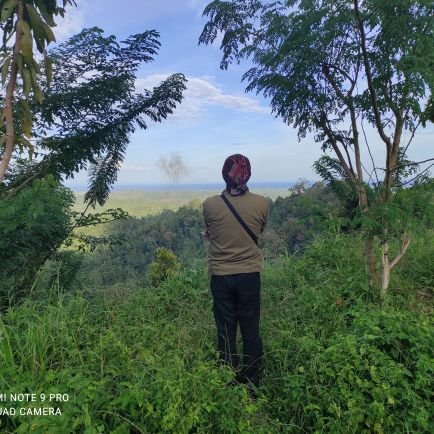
<point>26,22</point>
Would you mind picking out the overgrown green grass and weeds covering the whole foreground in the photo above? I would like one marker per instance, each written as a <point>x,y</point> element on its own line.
<point>143,360</point>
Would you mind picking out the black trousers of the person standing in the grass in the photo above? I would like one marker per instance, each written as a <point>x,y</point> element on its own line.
<point>237,301</point>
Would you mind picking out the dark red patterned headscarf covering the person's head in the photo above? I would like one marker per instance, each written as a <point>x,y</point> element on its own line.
<point>236,172</point>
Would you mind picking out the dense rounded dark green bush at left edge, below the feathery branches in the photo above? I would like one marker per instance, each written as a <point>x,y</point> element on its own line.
<point>32,224</point>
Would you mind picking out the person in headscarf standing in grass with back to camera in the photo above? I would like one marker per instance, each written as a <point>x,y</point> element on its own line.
<point>235,263</point>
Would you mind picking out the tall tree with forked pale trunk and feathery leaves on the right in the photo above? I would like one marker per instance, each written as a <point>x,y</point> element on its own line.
<point>334,68</point>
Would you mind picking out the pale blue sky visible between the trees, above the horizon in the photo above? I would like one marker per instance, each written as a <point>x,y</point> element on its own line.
<point>217,118</point>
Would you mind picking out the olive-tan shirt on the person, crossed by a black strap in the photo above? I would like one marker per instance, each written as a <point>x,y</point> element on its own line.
<point>231,250</point>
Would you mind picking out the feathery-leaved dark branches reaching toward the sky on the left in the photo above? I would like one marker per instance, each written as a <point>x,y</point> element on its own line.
<point>91,107</point>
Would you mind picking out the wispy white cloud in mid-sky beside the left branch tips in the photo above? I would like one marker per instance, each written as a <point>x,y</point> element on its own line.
<point>200,93</point>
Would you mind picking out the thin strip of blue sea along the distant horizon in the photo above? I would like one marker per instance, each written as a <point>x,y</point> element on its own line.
<point>189,187</point>
